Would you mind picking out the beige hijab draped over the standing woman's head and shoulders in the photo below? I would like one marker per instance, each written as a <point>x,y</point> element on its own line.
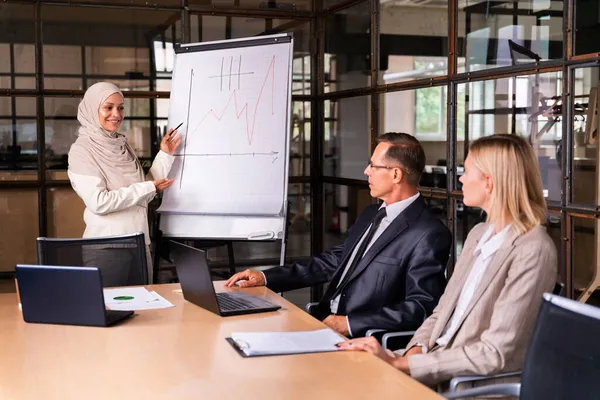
<point>98,152</point>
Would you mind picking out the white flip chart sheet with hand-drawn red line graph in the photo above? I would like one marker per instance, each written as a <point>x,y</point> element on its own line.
<point>234,105</point>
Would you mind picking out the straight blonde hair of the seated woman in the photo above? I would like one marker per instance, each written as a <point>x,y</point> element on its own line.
<point>517,194</point>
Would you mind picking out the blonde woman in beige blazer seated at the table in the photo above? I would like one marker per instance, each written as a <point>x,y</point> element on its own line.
<point>483,321</point>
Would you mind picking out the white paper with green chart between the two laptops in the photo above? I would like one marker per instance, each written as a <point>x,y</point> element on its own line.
<point>133,299</point>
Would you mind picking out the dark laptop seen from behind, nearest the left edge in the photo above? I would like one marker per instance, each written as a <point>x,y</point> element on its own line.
<point>64,295</point>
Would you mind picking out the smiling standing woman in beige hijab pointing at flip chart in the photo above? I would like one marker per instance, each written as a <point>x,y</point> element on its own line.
<point>106,174</point>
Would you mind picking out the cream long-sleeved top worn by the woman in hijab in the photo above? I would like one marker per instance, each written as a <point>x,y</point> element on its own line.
<point>122,211</point>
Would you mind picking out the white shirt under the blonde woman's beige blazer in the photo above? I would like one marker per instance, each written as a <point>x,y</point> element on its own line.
<point>487,247</point>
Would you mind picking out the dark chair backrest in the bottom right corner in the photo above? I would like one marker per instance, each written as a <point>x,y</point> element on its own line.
<point>563,357</point>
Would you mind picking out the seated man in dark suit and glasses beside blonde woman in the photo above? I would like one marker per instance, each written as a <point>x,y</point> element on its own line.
<point>389,272</point>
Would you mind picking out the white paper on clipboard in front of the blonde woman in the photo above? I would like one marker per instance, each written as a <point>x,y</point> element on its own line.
<point>271,343</point>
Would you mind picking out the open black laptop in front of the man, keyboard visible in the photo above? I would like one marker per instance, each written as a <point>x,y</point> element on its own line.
<point>197,287</point>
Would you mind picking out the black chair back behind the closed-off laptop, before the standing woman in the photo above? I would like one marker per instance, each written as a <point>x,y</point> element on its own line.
<point>121,259</point>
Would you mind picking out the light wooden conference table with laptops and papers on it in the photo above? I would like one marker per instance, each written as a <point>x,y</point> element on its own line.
<point>181,353</point>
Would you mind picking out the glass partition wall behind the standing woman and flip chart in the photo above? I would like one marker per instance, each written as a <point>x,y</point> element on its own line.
<point>51,53</point>
